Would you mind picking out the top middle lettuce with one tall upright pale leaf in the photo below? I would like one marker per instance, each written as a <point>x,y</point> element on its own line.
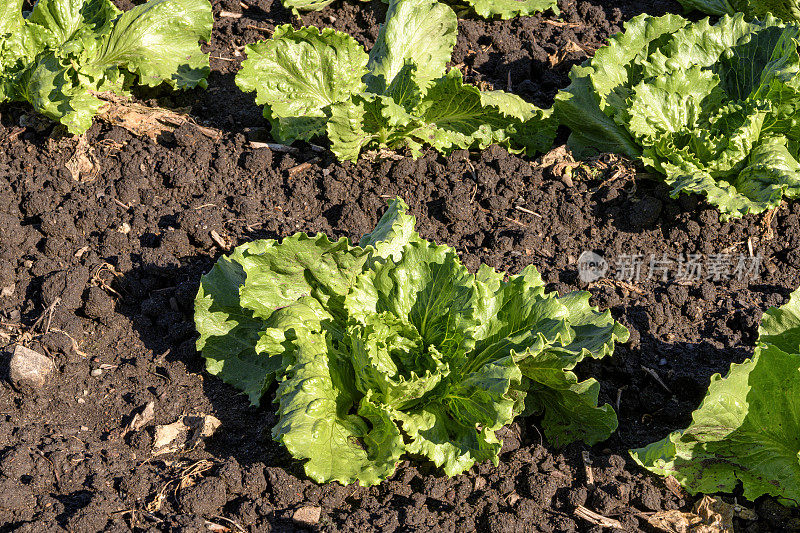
<point>317,83</point>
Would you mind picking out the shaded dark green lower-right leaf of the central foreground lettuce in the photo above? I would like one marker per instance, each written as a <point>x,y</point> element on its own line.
<point>569,407</point>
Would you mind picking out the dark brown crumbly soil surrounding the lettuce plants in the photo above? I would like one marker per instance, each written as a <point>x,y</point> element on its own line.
<point>112,266</point>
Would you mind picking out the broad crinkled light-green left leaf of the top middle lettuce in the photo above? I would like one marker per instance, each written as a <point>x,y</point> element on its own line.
<point>298,74</point>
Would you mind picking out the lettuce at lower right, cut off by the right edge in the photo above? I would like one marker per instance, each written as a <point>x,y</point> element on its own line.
<point>748,427</point>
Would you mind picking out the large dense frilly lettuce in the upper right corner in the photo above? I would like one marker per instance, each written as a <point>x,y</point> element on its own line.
<point>711,107</point>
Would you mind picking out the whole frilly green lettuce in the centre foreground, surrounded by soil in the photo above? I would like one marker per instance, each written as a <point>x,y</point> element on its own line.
<point>392,347</point>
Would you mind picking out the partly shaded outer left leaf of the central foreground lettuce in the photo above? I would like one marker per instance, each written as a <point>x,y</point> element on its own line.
<point>228,331</point>
